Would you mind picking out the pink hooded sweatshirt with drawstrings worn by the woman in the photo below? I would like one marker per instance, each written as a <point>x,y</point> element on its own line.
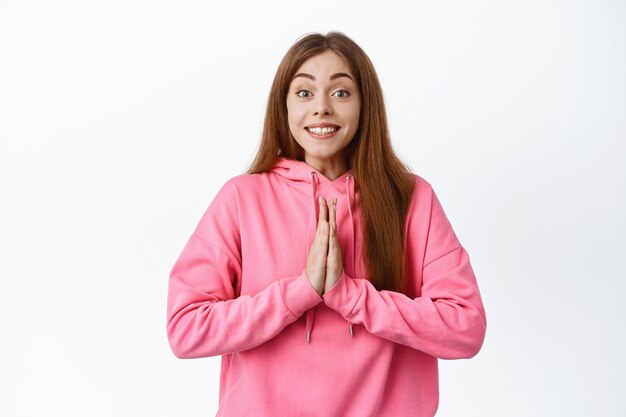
<point>239,290</point>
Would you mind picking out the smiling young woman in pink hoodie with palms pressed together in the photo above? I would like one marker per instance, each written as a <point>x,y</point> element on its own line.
<point>328,276</point>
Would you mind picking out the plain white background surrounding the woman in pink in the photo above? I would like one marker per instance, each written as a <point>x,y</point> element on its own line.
<point>119,121</point>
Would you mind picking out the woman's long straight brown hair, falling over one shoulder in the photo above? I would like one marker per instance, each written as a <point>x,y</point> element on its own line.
<point>376,168</point>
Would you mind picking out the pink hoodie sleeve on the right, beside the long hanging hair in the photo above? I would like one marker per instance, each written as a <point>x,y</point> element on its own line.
<point>447,320</point>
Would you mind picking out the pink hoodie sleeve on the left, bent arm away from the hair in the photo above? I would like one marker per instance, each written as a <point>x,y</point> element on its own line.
<point>205,317</point>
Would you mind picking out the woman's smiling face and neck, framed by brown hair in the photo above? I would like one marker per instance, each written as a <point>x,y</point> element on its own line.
<point>323,105</point>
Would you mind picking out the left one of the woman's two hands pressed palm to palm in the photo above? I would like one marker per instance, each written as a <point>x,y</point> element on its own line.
<point>316,260</point>
